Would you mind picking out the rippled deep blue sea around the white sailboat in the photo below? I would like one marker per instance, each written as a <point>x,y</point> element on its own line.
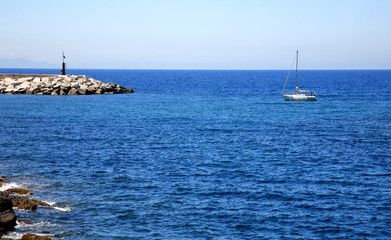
<point>205,155</point>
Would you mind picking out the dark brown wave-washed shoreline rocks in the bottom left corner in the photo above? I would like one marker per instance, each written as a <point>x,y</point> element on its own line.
<point>16,198</point>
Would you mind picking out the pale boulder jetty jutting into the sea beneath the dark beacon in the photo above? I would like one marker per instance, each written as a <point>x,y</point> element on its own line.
<point>56,85</point>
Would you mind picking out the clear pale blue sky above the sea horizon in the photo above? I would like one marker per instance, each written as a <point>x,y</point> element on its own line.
<point>197,34</point>
